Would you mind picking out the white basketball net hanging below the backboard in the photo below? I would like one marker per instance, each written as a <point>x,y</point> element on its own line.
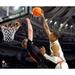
<point>8,33</point>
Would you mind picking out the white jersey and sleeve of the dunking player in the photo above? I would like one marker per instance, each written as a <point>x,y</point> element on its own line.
<point>60,61</point>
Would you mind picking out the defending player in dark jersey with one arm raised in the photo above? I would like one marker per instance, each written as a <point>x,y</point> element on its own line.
<point>34,50</point>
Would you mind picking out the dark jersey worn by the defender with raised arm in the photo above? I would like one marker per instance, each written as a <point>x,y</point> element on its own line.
<point>34,50</point>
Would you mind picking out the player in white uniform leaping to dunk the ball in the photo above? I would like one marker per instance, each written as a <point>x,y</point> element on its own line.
<point>56,56</point>
